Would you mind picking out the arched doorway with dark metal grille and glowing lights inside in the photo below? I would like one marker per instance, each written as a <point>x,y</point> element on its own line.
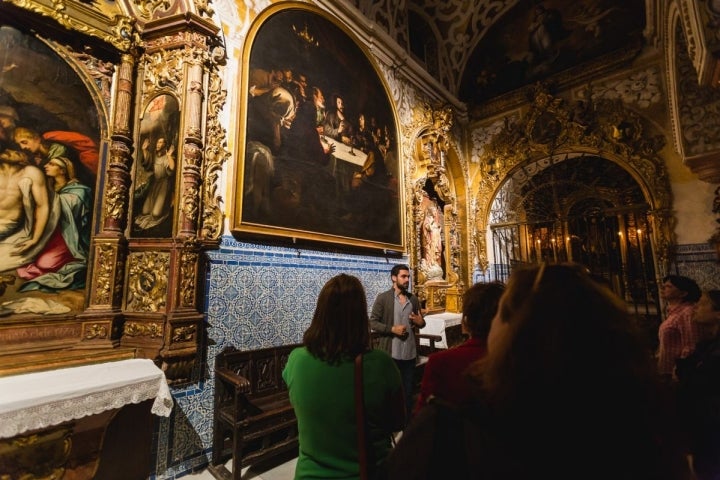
<point>581,208</point>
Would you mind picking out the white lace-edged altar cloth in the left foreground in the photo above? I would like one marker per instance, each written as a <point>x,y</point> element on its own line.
<point>41,399</point>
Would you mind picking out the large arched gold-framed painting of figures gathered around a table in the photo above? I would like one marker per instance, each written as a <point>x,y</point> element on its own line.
<point>320,155</point>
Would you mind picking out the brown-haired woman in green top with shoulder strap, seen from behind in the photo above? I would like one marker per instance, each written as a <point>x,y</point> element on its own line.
<point>320,379</point>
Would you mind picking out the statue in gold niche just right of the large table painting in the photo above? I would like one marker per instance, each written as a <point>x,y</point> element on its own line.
<point>431,228</point>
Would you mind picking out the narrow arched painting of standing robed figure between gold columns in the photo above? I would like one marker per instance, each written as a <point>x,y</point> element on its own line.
<point>155,162</point>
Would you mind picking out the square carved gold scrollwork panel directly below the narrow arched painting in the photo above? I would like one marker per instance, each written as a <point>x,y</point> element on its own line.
<point>147,281</point>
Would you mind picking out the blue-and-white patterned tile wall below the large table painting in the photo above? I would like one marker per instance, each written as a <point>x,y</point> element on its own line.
<point>257,296</point>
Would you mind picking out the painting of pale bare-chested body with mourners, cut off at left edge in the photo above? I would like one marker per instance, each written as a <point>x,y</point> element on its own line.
<point>48,167</point>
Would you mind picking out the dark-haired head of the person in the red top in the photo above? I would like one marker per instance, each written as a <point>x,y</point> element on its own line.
<point>480,303</point>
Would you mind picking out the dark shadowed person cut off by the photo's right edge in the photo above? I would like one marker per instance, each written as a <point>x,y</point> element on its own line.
<point>699,389</point>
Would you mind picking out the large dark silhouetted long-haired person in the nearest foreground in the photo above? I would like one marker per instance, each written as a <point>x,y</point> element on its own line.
<point>567,390</point>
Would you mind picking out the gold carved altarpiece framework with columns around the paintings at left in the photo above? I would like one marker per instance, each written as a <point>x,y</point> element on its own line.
<point>143,292</point>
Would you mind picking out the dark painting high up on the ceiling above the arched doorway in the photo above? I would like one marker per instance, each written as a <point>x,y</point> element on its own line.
<point>535,40</point>
